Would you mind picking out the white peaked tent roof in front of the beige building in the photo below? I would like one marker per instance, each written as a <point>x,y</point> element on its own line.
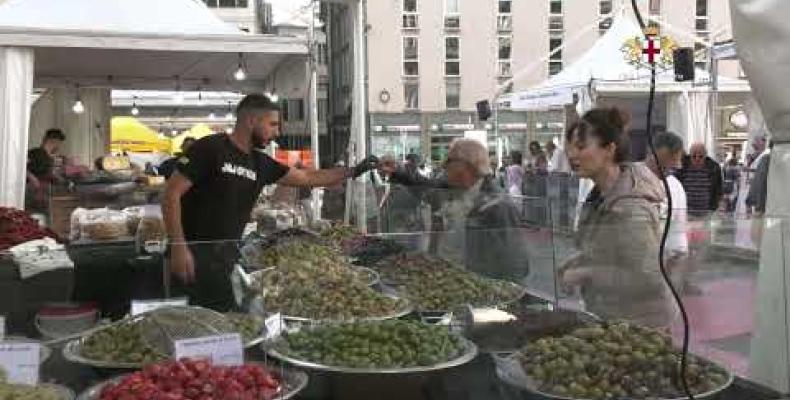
<point>605,68</point>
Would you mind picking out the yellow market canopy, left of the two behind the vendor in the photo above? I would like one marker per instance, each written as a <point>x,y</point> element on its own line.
<point>129,134</point>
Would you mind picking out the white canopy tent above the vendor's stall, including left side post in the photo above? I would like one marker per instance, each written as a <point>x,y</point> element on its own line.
<point>120,44</point>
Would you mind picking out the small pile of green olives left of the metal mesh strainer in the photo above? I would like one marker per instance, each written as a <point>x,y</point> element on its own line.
<point>120,343</point>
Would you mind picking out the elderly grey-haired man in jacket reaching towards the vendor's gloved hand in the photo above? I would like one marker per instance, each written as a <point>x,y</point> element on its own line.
<point>477,224</point>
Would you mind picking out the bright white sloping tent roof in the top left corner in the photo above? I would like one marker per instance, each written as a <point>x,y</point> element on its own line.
<point>183,17</point>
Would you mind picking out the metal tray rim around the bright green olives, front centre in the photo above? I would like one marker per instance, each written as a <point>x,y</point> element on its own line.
<point>469,354</point>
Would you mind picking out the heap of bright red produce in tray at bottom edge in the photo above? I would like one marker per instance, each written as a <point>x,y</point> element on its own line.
<point>195,380</point>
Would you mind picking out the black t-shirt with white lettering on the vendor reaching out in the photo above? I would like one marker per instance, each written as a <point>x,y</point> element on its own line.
<point>226,182</point>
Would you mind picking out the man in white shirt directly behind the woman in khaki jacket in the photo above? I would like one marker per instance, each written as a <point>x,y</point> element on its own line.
<point>669,149</point>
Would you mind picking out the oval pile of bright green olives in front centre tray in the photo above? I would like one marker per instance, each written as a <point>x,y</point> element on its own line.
<point>374,345</point>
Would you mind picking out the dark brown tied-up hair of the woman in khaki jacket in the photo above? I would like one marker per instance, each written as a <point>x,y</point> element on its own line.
<point>606,124</point>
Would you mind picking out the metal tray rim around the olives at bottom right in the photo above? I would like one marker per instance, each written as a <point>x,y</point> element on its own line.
<point>509,370</point>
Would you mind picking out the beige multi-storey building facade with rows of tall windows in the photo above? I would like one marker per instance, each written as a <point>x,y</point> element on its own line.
<point>431,61</point>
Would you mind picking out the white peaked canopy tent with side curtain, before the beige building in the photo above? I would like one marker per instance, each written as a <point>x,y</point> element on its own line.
<point>603,71</point>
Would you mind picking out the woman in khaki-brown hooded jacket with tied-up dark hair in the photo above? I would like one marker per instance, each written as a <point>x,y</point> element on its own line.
<point>617,265</point>
